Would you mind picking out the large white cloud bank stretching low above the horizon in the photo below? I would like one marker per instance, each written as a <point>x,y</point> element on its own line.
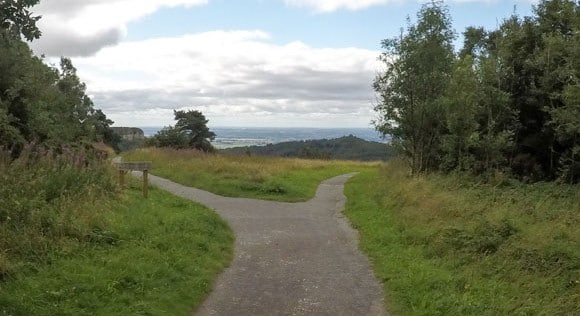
<point>233,77</point>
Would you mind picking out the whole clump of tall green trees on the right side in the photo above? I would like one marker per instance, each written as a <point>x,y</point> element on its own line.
<point>508,100</point>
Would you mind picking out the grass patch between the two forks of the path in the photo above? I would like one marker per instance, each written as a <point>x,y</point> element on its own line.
<point>279,179</point>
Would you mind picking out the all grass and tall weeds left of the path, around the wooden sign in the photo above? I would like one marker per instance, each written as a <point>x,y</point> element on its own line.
<point>91,250</point>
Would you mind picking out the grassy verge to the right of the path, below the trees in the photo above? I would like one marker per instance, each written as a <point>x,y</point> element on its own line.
<point>449,246</point>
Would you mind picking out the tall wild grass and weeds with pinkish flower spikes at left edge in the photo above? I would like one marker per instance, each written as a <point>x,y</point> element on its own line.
<point>48,201</point>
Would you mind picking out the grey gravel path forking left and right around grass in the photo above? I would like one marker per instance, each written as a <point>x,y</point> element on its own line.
<point>289,258</point>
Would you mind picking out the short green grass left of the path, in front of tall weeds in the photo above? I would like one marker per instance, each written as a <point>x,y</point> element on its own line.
<point>145,257</point>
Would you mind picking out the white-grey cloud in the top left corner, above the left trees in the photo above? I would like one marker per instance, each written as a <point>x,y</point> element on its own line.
<point>82,27</point>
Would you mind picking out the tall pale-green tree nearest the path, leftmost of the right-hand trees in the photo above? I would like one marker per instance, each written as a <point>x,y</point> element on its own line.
<point>418,66</point>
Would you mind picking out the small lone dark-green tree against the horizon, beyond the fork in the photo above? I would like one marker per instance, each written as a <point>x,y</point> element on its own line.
<point>190,131</point>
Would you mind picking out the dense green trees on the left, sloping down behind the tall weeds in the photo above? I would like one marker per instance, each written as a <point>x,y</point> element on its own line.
<point>41,104</point>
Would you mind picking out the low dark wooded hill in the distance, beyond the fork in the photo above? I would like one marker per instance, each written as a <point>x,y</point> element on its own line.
<point>344,148</point>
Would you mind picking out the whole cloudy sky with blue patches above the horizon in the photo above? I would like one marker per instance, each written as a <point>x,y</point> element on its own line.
<point>242,63</point>
